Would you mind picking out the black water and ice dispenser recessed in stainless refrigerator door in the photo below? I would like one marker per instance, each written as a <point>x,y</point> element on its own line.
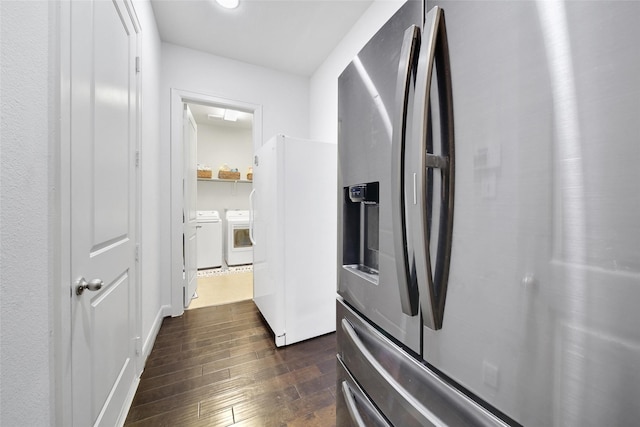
<point>361,229</point>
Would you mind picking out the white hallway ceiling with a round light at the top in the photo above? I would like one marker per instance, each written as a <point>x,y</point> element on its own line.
<point>294,36</point>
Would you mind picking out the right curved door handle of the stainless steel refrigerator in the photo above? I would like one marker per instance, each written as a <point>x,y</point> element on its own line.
<point>433,285</point>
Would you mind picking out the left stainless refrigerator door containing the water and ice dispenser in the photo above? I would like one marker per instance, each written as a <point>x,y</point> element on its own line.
<point>368,120</point>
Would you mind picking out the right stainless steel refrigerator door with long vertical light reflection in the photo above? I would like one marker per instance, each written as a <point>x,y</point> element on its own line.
<point>541,318</point>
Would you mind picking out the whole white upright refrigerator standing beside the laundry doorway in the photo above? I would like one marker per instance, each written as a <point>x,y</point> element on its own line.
<point>293,226</point>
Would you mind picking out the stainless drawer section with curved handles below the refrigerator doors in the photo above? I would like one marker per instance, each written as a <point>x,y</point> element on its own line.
<point>405,391</point>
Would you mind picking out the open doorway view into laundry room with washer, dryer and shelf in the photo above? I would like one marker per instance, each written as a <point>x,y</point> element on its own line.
<point>223,160</point>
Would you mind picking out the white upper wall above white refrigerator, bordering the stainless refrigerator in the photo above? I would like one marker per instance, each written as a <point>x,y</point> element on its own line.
<point>323,105</point>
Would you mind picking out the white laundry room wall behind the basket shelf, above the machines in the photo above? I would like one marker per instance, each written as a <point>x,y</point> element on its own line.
<point>220,144</point>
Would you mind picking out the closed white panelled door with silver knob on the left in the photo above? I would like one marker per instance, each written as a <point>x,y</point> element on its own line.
<point>103,201</point>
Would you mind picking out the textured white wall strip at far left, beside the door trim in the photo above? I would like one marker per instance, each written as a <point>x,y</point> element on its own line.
<point>27,209</point>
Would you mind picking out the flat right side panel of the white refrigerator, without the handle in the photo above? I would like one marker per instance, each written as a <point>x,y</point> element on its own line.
<point>308,222</point>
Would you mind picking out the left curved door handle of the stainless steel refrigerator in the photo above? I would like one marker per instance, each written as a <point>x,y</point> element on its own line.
<point>406,281</point>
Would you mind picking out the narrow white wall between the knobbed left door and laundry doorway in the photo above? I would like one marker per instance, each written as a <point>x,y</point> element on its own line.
<point>151,226</point>
